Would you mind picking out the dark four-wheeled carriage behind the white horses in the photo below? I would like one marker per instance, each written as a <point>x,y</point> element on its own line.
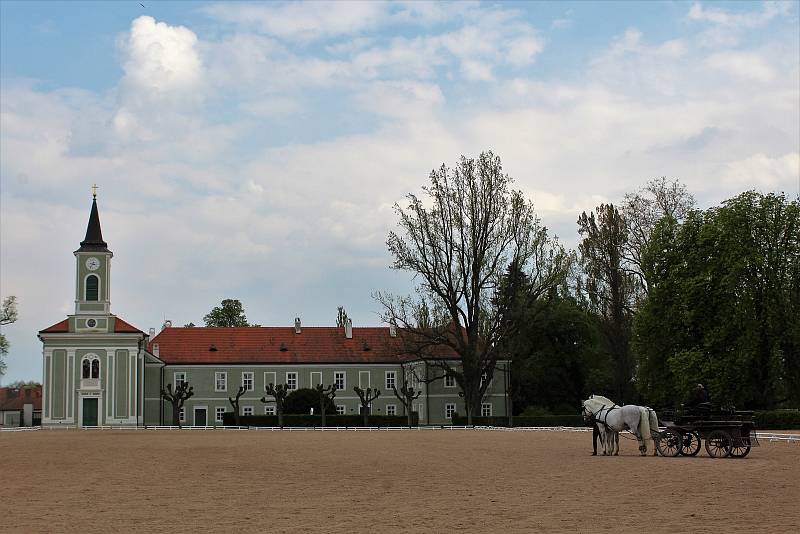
<point>725,432</point>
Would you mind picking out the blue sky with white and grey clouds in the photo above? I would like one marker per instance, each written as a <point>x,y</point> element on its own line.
<point>256,150</point>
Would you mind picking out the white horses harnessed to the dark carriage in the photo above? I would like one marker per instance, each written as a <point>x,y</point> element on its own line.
<point>640,420</point>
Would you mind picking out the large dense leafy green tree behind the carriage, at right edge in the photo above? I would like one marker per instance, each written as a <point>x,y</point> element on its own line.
<point>724,303</point>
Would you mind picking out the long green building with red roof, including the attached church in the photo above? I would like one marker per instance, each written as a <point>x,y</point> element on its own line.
<point>100,370</point>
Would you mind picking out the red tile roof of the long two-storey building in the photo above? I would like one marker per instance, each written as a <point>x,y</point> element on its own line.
<point>262,345</point>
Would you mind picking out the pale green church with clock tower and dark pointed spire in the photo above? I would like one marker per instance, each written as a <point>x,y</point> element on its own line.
<point>93,360</point>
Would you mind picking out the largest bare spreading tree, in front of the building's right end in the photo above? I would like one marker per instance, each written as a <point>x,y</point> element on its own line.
<point>459,248</point>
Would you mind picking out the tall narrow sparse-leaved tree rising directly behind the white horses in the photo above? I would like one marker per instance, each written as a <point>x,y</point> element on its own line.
<point>612,289</point>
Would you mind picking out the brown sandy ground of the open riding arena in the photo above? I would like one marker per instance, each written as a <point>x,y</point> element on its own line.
<point>431,481</point>
